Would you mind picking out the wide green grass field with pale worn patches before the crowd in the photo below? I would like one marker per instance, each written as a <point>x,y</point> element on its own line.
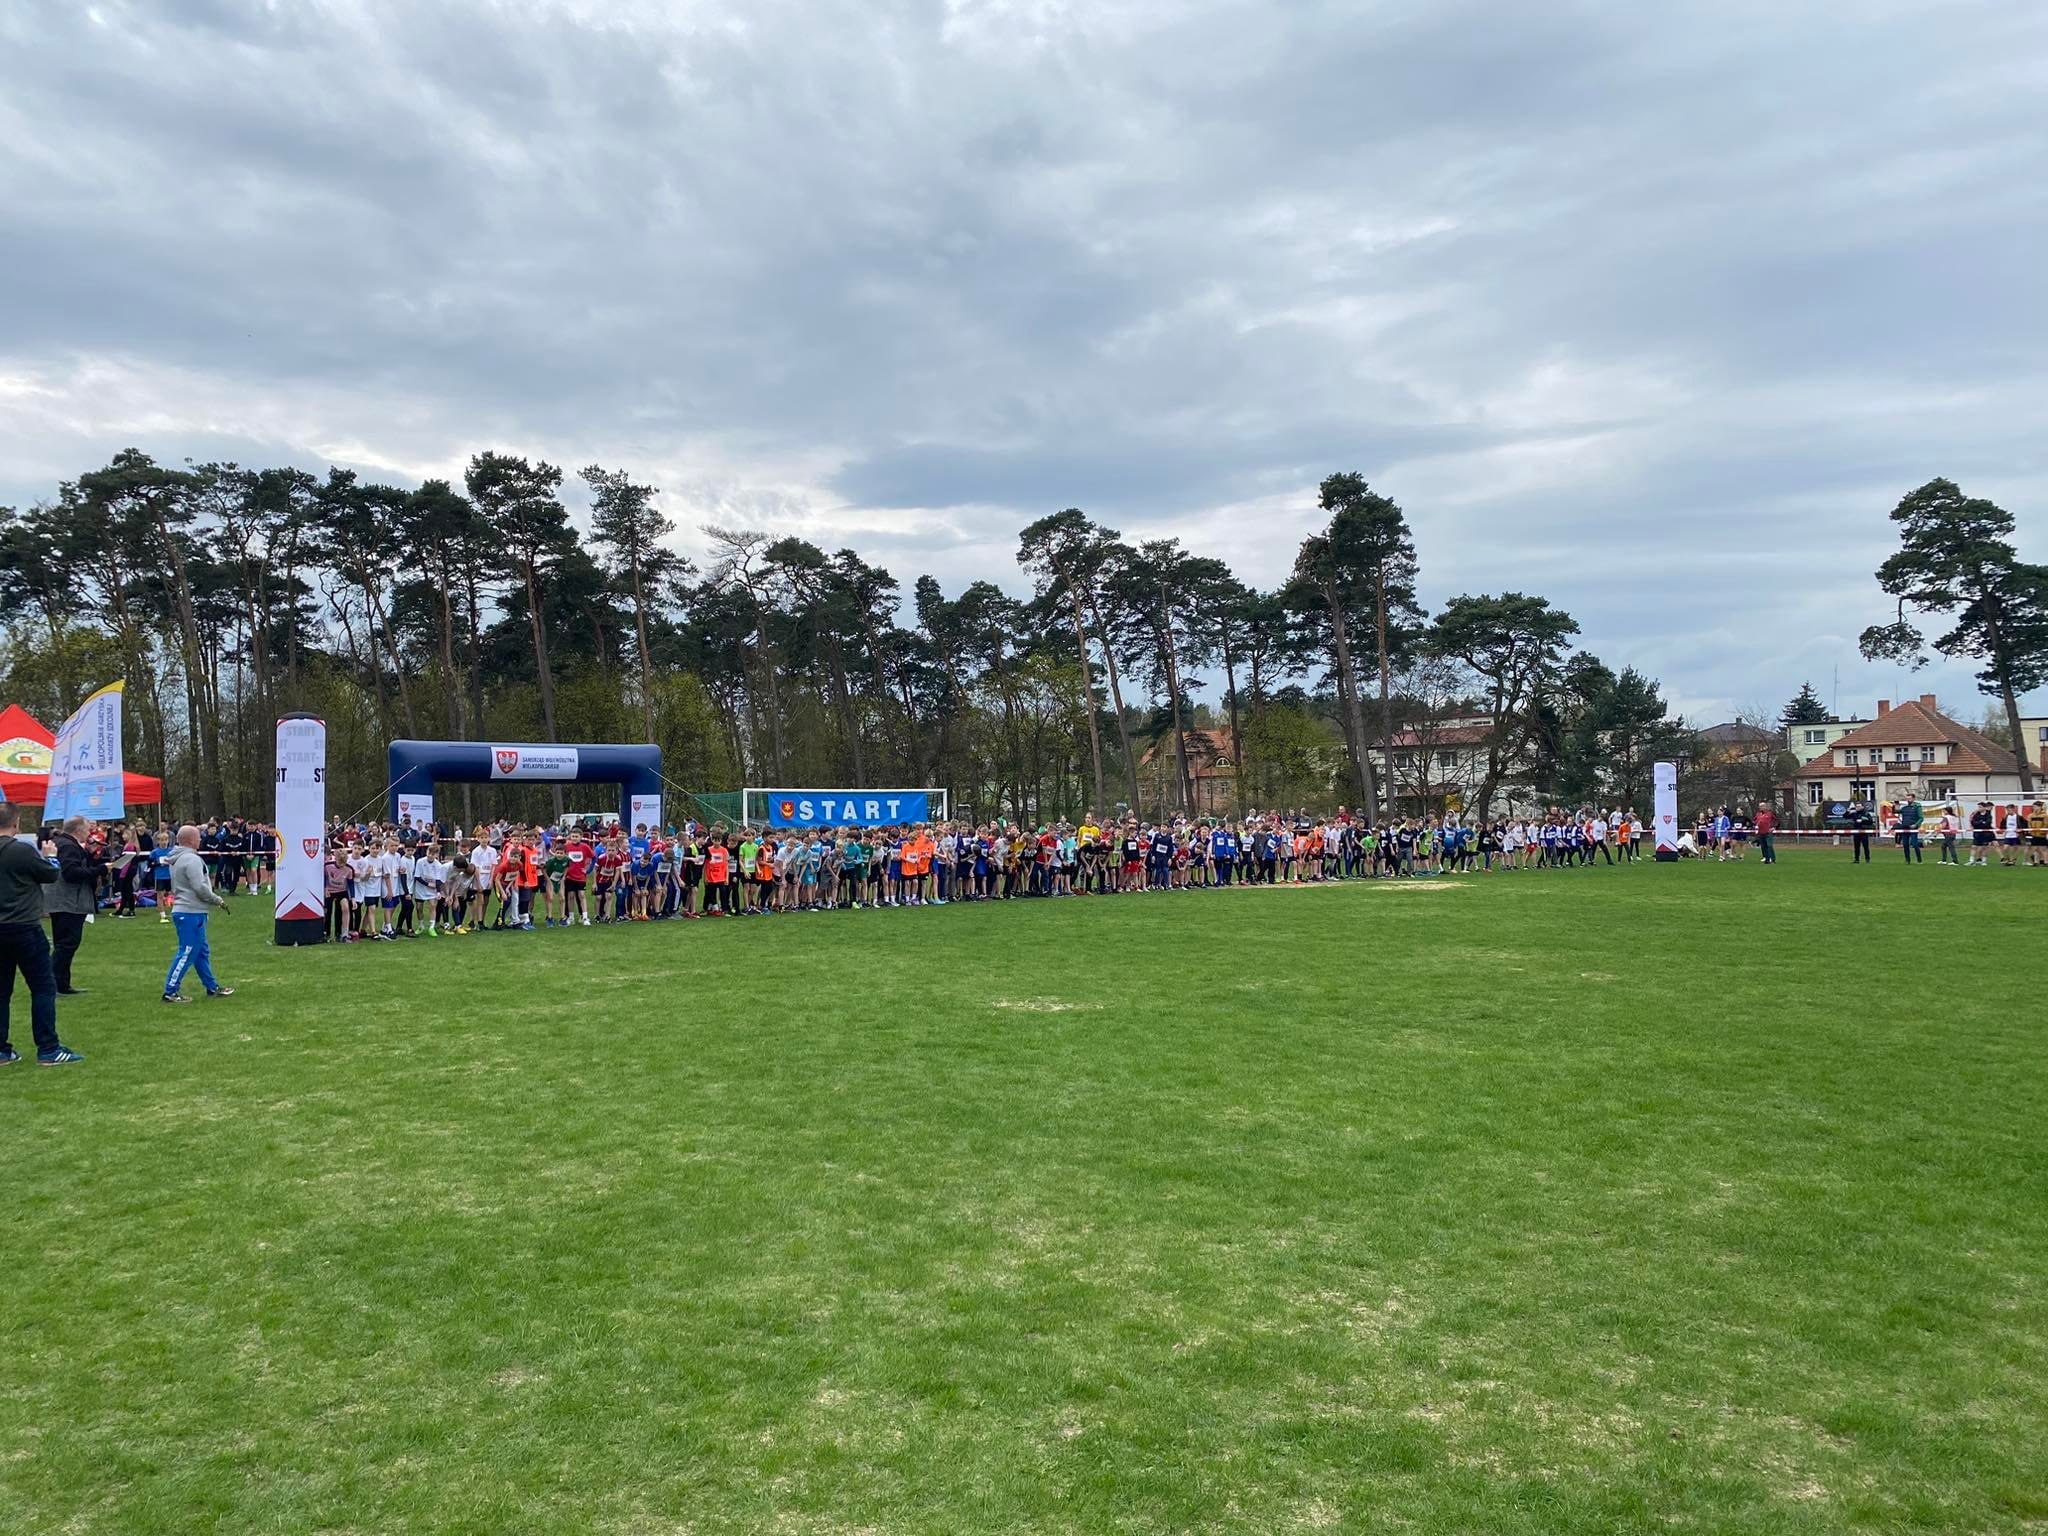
<point>1701,1199</point>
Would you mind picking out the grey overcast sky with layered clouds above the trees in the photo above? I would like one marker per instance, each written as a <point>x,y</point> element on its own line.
<point>1654,310</point>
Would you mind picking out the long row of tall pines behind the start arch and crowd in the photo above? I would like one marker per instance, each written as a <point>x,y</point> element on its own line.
<point>480,611</point>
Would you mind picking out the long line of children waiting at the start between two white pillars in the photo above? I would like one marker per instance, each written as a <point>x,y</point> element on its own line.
<point>384,890</point>
